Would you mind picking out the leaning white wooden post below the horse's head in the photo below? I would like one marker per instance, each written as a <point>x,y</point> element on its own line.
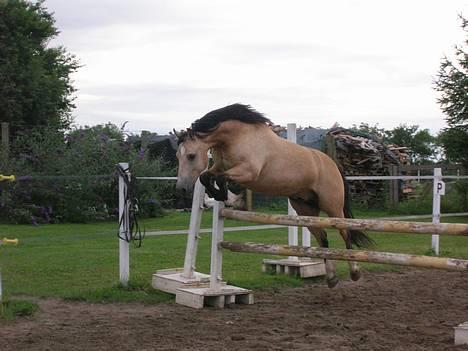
<point>194,230</point>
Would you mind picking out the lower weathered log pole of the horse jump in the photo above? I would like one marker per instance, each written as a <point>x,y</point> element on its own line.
<point>450,264</point>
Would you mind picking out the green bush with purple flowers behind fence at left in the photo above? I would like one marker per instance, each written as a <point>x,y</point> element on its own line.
<point>55,176</point>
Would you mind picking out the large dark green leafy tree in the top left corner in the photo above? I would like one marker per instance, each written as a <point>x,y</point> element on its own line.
<point>35,84</point>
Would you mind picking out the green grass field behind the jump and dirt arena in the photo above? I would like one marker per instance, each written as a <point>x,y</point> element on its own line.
<point>80,261</point>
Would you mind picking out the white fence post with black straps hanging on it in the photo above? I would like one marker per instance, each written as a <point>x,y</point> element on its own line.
<point>124,246</point>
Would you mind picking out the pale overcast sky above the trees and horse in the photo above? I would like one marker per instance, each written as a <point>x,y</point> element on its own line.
<point>162,64</point>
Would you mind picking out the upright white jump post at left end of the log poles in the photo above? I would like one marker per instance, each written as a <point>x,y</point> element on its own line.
<point>217,236</point>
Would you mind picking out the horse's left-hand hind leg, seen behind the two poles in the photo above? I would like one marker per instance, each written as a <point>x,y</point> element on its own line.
<point>304,208</point>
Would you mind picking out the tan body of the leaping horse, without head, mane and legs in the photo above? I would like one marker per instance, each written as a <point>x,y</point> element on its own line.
<point>283,168</point>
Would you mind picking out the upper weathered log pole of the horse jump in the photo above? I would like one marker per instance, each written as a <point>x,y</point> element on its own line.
<point>350,223</point>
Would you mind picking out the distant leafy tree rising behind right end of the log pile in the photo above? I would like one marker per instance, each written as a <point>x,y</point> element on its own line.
<point>420,141</point>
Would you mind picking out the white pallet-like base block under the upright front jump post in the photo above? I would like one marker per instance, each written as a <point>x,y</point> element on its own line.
<point>203,297</point>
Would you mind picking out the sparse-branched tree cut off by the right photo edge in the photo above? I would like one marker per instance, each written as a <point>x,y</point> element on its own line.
<point>452,83</point>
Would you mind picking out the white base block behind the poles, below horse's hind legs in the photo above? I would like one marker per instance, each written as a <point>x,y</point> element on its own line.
<point>300,268</point>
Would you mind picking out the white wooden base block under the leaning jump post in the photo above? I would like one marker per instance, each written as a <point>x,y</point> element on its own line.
<point>169,280</point>
